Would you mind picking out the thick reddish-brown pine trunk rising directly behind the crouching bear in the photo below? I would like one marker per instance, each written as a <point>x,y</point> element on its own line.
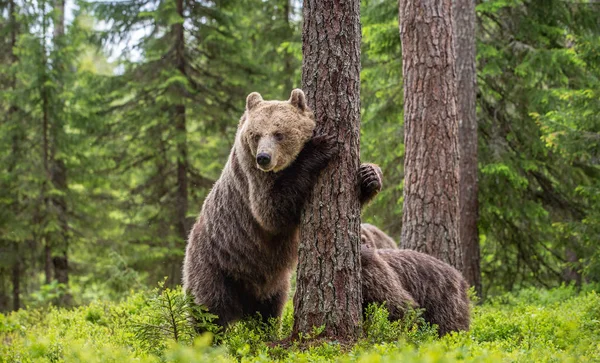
<point>430,222</point>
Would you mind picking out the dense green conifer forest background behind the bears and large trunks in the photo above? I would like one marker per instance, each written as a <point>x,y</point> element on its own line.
<point>117,117</point>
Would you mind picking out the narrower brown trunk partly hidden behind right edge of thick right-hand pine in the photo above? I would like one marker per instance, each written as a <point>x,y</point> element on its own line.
<point>464,42</point>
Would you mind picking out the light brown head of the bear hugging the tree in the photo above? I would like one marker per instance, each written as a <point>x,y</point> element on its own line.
<point>276,131</point>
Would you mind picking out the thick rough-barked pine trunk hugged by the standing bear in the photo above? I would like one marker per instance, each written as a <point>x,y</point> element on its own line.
<point>328,280</point>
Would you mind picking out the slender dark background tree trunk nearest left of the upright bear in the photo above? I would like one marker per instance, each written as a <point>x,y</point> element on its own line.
<point>181,142</point>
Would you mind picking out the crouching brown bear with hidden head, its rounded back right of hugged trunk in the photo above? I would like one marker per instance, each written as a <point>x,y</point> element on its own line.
<point>404,278</point>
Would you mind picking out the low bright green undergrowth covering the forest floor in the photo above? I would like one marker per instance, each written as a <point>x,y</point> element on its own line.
<point>559,325</point>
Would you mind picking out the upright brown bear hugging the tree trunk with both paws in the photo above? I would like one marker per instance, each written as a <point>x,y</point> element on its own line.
<point>243,247</point>
